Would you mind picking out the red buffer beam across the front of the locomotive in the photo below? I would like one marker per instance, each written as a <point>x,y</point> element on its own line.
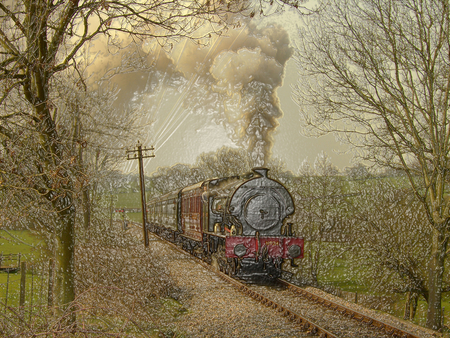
<point>248,246</point>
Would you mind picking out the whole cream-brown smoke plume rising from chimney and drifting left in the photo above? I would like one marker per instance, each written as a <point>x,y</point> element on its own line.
<point>231,82</point>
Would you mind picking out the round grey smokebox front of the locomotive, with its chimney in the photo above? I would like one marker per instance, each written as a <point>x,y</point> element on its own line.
<point>261,204</point>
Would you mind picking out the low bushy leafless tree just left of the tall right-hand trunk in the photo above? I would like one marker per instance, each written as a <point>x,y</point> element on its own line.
<point>390,242</point>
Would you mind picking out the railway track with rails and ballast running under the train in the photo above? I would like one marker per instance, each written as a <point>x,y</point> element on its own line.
<point>317,315</point>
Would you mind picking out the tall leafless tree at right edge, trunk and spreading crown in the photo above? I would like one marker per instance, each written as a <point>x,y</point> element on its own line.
<point>376,73</point>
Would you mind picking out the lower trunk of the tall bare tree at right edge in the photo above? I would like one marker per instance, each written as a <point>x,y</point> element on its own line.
<point>436,273</point>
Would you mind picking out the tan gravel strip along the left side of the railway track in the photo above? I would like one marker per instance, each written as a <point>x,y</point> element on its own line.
<point>215,308</point>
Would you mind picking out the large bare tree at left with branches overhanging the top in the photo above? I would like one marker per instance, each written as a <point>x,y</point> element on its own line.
<point>42,41</point>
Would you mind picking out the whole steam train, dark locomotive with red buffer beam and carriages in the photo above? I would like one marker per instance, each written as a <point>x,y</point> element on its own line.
<point>237,224</point>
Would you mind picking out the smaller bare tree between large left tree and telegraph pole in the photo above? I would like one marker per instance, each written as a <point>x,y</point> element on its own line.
<point>96,131</point>
